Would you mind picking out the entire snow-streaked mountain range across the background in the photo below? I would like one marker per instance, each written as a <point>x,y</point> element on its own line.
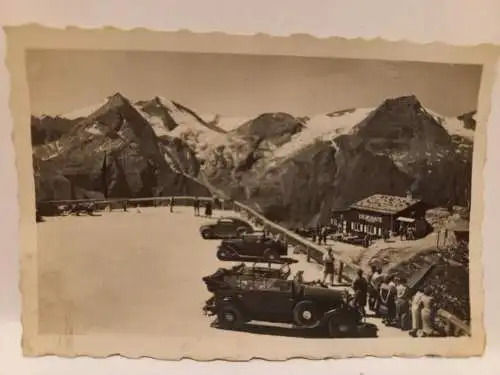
<point>292,169</point>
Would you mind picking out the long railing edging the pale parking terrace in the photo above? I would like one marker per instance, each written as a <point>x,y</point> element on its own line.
<point>314,252</point>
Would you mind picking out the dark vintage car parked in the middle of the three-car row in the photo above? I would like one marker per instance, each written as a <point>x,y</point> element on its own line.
<point>256,245</point>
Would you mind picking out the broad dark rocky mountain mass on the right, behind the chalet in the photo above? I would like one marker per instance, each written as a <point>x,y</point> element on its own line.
<point>398,147</point>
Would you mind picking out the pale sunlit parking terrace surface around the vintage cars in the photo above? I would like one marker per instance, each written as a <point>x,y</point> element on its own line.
<point>140,273</point>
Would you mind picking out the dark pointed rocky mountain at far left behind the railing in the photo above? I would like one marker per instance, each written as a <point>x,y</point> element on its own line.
<point>118,139</point>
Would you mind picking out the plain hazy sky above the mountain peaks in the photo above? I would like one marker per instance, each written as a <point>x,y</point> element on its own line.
<point>61,81</point>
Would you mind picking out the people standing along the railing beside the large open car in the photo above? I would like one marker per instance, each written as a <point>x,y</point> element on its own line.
<point>388,297</point>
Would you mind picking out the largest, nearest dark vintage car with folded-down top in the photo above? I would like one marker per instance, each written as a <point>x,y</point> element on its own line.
<point>241,298</point>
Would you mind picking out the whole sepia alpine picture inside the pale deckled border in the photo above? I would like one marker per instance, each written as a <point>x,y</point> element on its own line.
<point>262,203</point>
